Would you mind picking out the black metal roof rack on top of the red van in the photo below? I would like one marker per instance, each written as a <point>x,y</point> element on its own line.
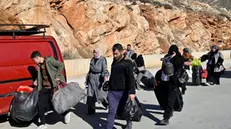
<point>23,29</point>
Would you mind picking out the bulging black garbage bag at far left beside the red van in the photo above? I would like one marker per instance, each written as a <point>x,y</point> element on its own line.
<point>24,106</point>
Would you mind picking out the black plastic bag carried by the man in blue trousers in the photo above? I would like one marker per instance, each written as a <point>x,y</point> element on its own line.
<point>132,111</point>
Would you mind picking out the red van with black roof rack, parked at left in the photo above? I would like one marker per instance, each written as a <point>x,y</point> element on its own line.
<point>16,66</point>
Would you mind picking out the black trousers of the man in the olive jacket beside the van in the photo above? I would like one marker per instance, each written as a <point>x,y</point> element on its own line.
<point>44,104</point>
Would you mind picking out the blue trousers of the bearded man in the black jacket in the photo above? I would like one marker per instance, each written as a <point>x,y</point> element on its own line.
<point>113,99</point>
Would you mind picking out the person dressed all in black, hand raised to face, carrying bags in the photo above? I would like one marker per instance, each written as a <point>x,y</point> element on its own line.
<point>172,83</point>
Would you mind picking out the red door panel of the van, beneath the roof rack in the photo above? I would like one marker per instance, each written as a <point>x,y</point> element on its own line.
<point>16,67</point>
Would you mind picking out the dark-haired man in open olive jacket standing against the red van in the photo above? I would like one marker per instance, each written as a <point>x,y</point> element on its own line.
<point>49,75</point>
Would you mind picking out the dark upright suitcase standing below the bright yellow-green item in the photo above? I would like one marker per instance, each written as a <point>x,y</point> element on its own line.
<point>196,75</point>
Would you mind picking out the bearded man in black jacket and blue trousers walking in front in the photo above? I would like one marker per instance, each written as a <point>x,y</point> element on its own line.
<point>121,84</point>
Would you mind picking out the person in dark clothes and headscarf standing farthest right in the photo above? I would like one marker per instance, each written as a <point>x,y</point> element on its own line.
<point>214,65</point>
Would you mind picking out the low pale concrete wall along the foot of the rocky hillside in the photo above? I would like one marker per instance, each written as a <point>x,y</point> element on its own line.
<point>79,67</point>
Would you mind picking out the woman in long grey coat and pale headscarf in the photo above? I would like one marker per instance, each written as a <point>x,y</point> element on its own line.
<point>96,76</point>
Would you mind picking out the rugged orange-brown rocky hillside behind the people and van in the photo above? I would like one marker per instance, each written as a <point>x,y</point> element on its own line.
<point>151,26</point>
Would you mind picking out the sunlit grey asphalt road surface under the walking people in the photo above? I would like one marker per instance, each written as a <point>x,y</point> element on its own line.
<point>205,107</point>
